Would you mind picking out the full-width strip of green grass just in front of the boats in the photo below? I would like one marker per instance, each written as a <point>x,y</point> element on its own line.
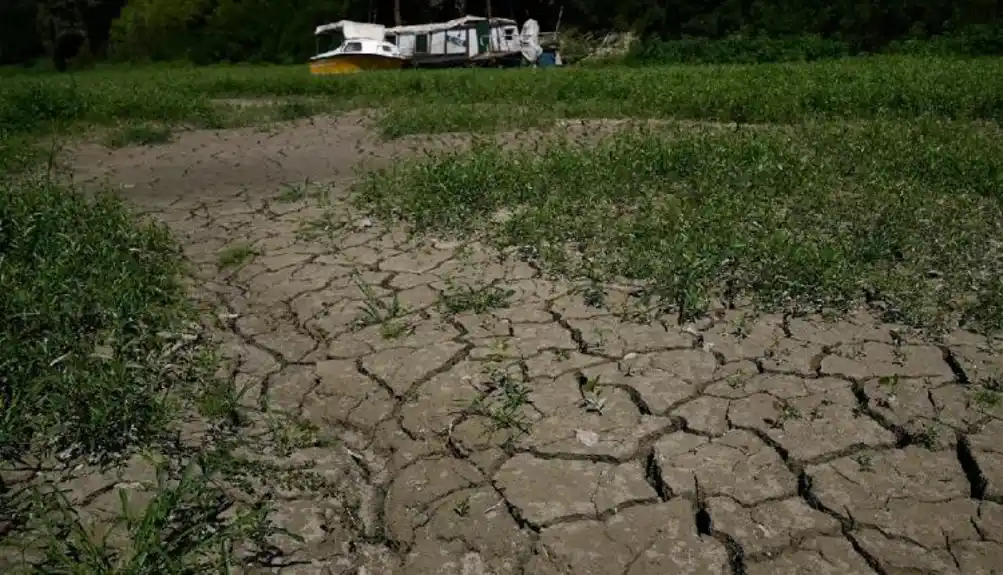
<point>853,90</point>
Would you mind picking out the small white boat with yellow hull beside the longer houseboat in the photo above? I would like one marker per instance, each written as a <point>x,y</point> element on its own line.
<point>364,48</point>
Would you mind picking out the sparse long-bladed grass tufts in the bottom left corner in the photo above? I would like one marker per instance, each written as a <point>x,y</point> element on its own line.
<point>190,525</point>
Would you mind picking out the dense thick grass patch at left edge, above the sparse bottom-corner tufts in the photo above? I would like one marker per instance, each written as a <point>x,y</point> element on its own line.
<point>86,308</point>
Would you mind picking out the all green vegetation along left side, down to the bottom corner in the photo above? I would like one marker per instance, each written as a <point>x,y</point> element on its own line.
<point>103,358</point>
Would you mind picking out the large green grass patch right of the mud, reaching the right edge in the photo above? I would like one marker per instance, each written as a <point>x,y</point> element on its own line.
<point>822,216</point>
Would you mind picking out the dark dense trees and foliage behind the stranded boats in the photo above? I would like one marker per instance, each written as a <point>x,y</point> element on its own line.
<point>279,31</point>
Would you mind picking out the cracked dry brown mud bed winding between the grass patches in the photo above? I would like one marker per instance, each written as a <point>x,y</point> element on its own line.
<point>741,444</point>
